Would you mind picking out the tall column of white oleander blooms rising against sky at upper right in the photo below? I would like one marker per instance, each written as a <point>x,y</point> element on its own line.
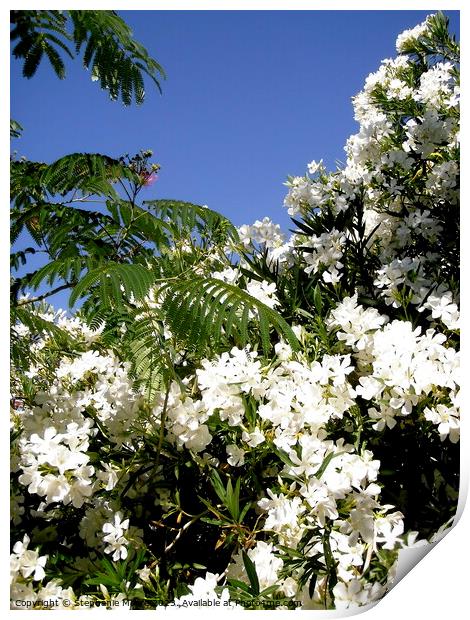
<point>394,161</point>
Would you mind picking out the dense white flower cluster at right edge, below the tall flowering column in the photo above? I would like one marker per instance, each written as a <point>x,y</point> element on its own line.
<point>400,367</point>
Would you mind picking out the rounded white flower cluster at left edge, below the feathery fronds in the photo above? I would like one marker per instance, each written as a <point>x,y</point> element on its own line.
<point>52,452</point>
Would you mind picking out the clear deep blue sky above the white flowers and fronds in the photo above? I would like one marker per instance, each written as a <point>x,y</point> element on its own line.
<point>250,97</point>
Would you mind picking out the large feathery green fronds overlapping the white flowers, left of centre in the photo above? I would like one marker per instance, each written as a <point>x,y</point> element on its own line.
<point>110,259</point>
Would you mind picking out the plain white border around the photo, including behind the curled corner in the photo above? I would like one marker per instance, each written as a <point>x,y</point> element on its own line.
<point>438,584</point>
